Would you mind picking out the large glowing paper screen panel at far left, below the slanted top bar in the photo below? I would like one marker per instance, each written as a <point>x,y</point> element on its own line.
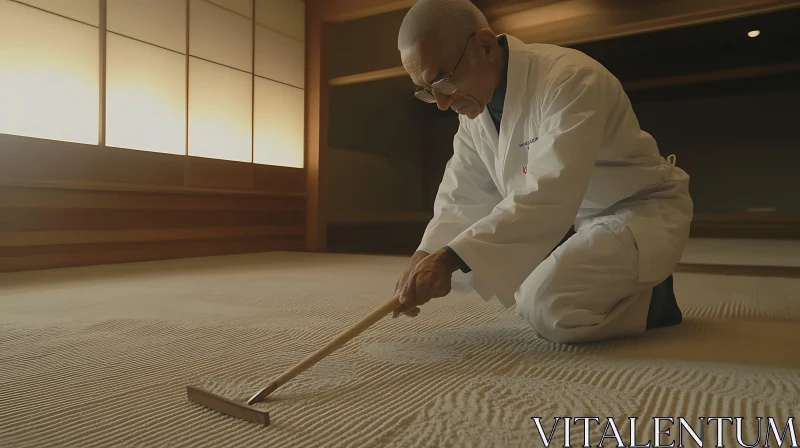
<point>49,76</point>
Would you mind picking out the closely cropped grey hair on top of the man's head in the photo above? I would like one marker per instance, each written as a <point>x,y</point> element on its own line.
<point>447,21</point>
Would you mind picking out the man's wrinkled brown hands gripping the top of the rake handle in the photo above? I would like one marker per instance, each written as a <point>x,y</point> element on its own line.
<point>427,278</point>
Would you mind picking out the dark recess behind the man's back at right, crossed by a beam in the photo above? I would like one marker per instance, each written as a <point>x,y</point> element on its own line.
<point>738,138</point>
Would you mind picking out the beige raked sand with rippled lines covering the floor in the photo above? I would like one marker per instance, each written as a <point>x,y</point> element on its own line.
<point>100,357</point>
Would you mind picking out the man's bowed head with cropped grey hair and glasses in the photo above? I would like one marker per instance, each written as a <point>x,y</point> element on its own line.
<point>450,41</point>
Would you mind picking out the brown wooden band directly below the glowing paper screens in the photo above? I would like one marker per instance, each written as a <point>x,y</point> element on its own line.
<point>28,161</point>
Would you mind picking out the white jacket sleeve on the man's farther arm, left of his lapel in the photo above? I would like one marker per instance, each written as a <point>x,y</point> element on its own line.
<point>466,194</point>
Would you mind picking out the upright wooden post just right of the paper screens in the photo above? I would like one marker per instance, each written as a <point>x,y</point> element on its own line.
<point>316,126</point>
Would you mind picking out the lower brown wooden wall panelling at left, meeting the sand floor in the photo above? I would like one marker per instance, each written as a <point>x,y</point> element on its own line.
<point>44,228</point>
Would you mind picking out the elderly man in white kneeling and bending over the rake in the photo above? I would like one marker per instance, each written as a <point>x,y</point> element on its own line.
<point>547,141</point>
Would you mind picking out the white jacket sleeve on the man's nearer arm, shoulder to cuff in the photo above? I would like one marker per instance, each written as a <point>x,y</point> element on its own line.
<point>503,248</point>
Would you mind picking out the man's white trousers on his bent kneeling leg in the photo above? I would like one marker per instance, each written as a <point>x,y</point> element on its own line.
<point>588,289</point>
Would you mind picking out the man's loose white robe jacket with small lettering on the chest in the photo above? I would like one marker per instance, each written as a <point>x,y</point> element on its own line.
<point>569,152</point>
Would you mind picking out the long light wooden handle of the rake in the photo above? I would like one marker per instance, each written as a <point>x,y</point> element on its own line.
<point>329,348</point>
